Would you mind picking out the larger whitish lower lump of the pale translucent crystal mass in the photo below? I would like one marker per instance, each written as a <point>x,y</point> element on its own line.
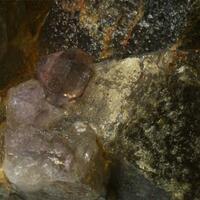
<point>34,158</point>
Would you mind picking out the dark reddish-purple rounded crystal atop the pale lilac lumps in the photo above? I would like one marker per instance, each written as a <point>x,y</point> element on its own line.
<point>64,75</point>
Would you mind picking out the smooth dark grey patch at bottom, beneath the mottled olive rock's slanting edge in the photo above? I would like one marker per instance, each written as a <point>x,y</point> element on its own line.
<point>131,184</point>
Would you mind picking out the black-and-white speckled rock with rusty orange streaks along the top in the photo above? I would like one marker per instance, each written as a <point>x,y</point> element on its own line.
<point>116,28</point>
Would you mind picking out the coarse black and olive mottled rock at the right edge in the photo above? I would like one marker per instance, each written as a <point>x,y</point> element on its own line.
<point>162,136</point>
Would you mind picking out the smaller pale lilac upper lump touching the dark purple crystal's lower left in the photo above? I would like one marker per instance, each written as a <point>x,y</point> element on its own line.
<point>27,105</point>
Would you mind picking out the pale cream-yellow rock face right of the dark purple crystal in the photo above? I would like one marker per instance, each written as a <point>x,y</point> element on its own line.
<point>104,104</point>
